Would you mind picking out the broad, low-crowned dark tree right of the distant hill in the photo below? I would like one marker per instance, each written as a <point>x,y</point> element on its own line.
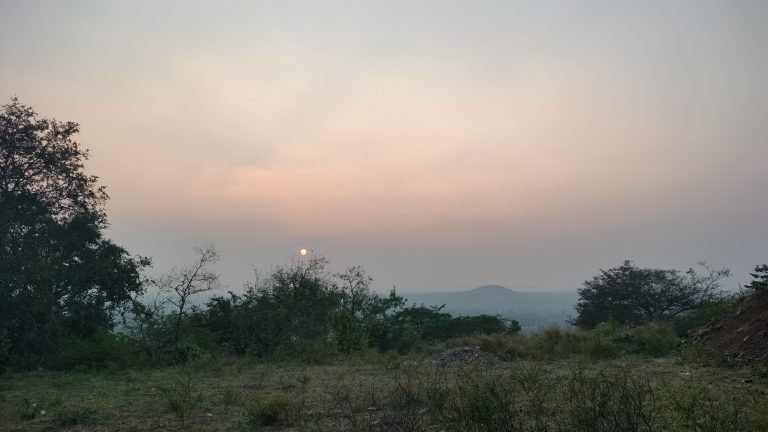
<point>631,295</point>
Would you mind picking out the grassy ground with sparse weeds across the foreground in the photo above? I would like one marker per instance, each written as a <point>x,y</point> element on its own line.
<point>387,393</point>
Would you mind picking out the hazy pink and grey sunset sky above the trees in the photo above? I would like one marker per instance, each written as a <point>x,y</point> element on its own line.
<point>442,145</point>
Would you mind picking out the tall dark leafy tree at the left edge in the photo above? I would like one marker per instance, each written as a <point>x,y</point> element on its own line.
<point>59,276</point>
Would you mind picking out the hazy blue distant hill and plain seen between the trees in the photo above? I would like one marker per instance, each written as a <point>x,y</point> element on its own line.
<point>534,310</point>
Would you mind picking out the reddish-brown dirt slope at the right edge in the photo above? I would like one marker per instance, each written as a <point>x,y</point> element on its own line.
<point>741,334</point>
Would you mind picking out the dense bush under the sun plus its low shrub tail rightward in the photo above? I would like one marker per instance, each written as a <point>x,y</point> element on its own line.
<point>300,308</point>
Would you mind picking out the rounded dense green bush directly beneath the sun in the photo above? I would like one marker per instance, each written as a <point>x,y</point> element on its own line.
<point>297,304</point>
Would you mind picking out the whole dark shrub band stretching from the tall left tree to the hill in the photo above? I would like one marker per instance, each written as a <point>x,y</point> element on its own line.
<point>297,312</point>
